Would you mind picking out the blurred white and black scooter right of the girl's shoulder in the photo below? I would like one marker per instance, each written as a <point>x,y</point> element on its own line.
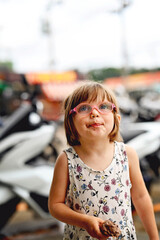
<point>144,137</point>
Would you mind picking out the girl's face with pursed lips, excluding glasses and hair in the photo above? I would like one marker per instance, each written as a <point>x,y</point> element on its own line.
<point>94,125</point>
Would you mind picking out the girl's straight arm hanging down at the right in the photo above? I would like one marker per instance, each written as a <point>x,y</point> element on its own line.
<point>140,196</point>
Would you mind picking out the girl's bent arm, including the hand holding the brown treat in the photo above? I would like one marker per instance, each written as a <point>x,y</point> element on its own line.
<point>60,210</point>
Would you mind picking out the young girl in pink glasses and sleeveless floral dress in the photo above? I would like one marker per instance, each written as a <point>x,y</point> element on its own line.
<point>95,178</point>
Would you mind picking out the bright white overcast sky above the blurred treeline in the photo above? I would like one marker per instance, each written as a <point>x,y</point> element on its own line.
<point>86,34</point>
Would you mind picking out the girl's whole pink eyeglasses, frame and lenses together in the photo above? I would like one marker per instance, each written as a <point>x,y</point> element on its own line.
<point>86,108</point>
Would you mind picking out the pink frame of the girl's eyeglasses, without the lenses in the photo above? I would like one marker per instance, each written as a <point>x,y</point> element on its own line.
<point>74,110</point>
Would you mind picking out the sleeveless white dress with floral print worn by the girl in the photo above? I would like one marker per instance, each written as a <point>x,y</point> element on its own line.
<point>104,194</point>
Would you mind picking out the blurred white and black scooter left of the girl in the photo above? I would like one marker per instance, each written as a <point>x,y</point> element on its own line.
<point>24,172</point>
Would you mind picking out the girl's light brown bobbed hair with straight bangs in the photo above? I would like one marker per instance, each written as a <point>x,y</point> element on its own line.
<point>89,91</point>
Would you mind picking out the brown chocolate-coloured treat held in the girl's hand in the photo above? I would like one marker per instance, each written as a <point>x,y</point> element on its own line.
<point>110,229</point>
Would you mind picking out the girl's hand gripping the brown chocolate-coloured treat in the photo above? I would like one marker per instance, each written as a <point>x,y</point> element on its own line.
<point>93,227</point>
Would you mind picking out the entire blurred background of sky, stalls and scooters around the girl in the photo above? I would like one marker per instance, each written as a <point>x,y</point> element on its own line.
<point>47,48</point>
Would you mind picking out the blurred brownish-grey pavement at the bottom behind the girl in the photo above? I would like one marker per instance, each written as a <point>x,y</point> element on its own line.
<point>25,226</point>
